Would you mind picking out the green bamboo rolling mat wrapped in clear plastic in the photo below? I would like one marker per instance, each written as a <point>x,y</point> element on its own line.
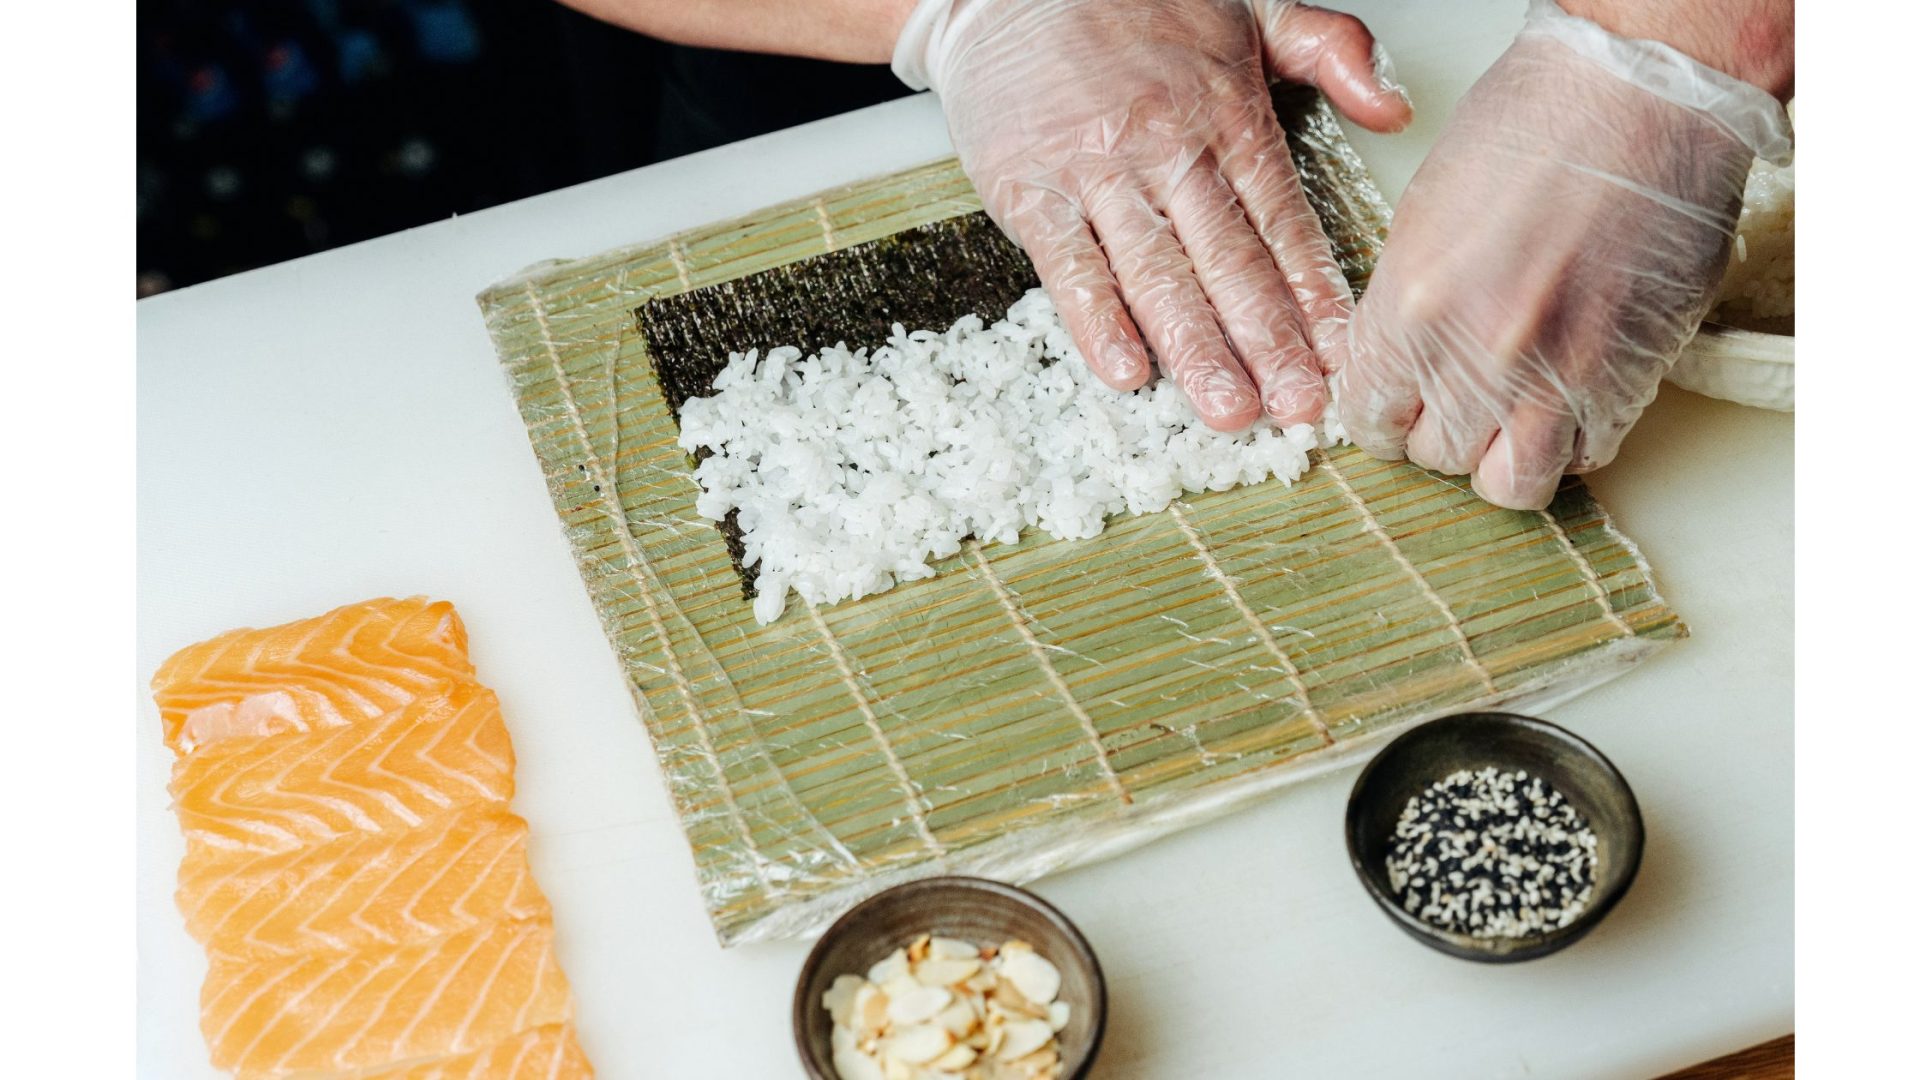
<point>1040,704</point>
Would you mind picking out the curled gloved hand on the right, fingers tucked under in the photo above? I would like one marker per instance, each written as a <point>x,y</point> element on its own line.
<point>1552,257</point>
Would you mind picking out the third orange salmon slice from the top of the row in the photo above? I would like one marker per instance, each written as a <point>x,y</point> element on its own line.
<point>450,875</point>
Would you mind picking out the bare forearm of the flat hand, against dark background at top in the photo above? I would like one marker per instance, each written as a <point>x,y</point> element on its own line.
<point>857,32</point>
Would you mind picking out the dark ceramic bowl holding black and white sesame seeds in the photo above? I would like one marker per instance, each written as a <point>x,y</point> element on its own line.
<point>1506,741</point>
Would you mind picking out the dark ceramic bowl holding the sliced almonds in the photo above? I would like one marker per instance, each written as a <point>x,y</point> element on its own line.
<point>971,910</point>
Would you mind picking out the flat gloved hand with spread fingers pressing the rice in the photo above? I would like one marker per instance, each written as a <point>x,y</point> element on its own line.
<point>1132,149</point>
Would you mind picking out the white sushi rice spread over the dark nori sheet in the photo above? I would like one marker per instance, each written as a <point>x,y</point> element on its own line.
<point>855,470</point>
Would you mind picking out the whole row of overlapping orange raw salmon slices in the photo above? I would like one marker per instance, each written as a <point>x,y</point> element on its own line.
<point>352,866</point>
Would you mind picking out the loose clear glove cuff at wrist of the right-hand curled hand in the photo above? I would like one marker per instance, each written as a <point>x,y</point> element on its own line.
<point>1750,114</point>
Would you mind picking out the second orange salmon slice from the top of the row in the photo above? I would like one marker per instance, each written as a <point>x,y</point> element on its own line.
<point>396,772</point>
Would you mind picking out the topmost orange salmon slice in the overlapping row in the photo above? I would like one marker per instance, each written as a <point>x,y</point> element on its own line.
<point>352,664</point>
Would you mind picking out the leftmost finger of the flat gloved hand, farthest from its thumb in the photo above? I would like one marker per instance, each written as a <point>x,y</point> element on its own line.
<point>1078,278</point>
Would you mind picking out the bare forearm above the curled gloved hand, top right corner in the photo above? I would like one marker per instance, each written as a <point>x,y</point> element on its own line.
<point>1748,39</point>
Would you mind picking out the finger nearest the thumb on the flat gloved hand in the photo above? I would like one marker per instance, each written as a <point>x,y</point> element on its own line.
<point>1264,178</point>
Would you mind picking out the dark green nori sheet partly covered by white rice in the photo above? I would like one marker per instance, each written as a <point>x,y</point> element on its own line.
<point>928,278</point>
